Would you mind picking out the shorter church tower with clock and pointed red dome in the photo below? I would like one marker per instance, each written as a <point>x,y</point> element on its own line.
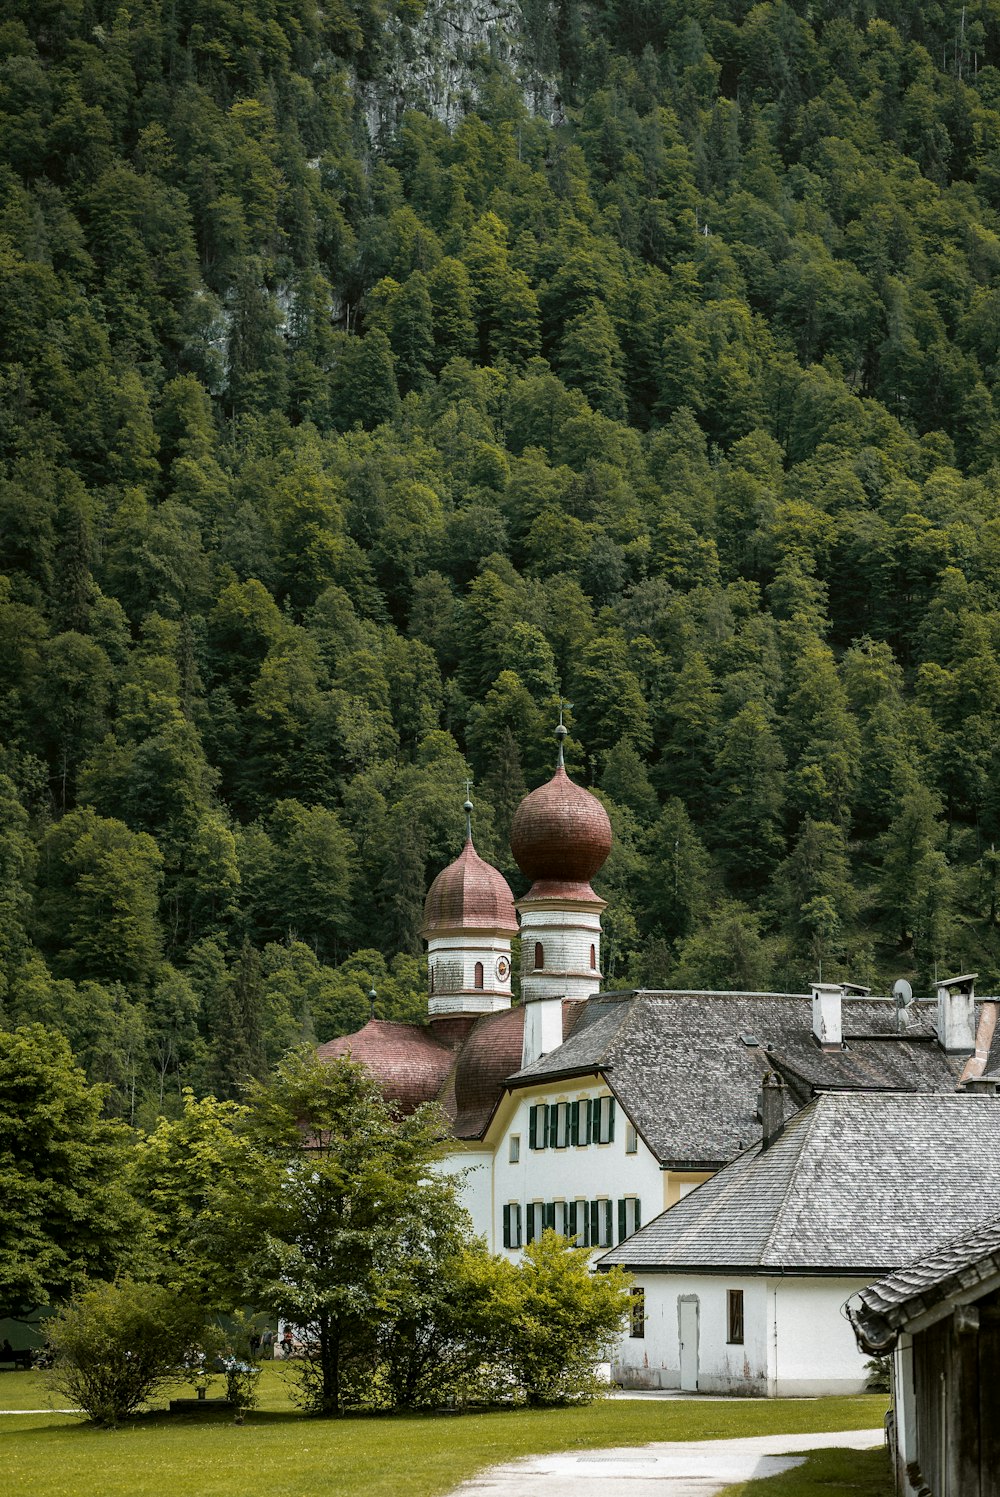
<point>469,920</point>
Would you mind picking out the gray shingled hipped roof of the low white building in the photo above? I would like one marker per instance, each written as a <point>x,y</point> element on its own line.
<point>856,1185</point>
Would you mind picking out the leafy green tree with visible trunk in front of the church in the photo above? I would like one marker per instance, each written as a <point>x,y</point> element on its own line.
<point>342,1200</point>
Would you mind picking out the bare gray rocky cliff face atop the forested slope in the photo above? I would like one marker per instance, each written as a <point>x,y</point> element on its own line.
<point>439,64</point>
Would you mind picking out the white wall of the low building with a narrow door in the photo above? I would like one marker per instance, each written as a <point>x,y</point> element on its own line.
<point>797,1342</point>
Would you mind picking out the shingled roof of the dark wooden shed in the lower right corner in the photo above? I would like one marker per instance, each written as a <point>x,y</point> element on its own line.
<point>956,1270</point>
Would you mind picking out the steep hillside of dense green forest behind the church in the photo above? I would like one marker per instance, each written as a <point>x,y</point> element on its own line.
<point>330,465</point>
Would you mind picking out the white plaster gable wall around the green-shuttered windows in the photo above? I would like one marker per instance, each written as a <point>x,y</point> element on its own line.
<point>591,1173</point>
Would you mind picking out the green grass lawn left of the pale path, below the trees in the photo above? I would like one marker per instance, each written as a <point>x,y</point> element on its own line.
<point>287,1456</point>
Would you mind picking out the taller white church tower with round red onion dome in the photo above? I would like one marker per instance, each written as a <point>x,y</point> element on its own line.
<point>561,839</point>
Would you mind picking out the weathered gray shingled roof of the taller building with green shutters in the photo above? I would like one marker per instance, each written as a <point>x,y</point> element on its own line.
<point>691,1085</point>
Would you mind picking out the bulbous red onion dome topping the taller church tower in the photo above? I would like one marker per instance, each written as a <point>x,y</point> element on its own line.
<point>561,833</point>
